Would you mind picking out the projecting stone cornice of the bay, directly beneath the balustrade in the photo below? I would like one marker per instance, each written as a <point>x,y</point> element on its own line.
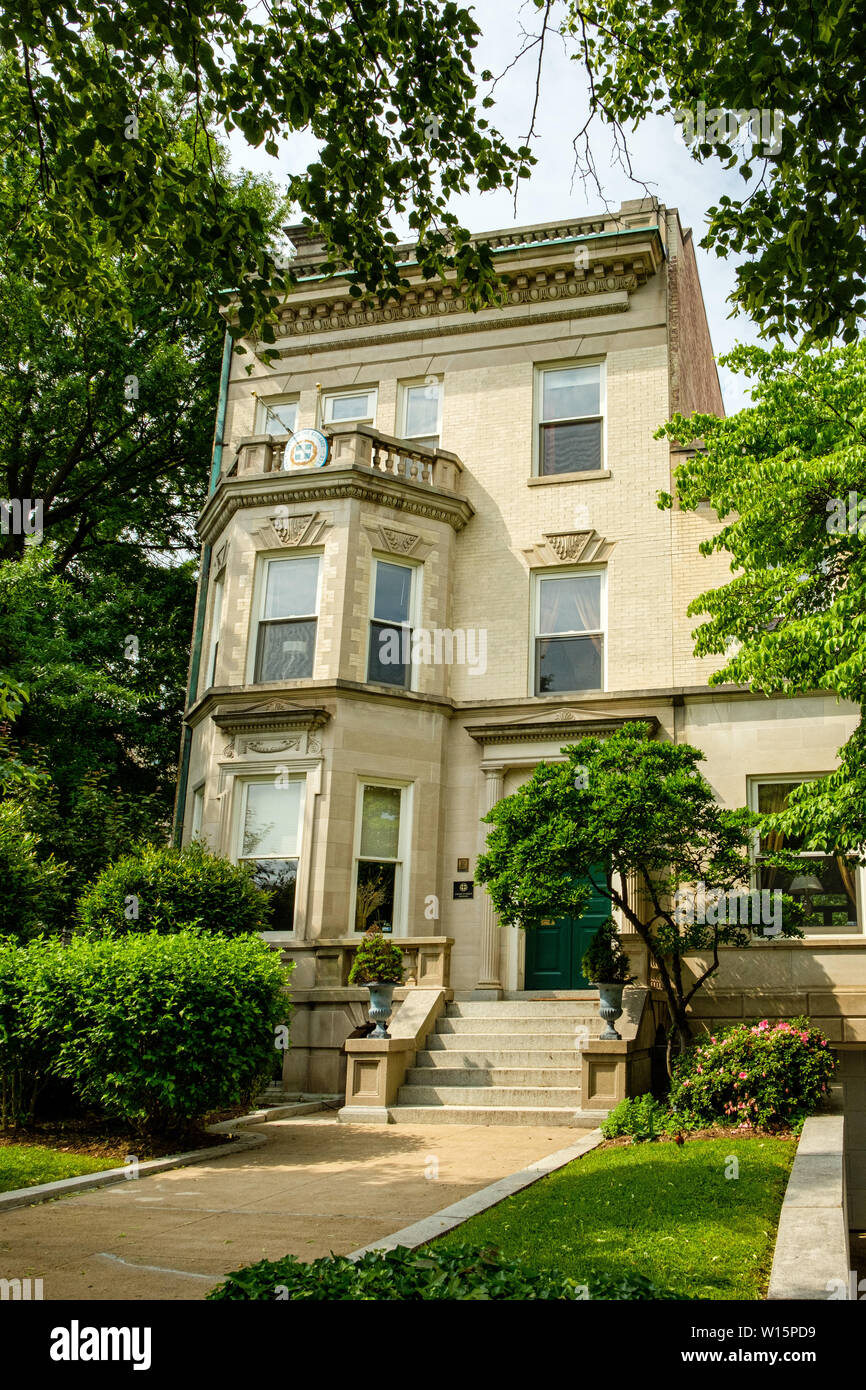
<point>302,487</point>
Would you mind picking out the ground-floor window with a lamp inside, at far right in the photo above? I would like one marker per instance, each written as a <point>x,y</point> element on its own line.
<point>826,883</point>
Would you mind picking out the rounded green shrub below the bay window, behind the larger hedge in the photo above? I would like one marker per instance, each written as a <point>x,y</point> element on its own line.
<point>163,889</point>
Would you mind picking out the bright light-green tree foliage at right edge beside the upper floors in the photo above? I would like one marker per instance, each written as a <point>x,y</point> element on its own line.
<point>787,479</point>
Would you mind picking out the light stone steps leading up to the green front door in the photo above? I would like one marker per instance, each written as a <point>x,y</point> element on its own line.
<point>508,1063</point>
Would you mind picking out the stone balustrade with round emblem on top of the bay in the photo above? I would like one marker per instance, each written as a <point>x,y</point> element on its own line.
<point>357,447</point>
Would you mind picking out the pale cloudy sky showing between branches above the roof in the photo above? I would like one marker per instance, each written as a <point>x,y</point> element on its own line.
<point>660,158</point>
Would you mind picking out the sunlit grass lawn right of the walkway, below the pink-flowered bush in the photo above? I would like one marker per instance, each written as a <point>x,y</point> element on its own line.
<point>662,1211</point>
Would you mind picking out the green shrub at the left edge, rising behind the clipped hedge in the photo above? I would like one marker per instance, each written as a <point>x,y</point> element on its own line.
<point>31,881</point>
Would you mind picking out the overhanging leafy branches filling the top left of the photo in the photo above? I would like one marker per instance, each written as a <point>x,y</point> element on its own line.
<point>387,90</point>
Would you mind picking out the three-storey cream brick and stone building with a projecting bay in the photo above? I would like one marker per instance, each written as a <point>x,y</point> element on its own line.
<point>391,640</point>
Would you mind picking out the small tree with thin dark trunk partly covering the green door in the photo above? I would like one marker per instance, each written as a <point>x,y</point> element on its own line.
<point>643,808</point>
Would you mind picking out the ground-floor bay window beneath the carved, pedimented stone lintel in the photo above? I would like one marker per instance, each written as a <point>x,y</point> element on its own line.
<point>272,815</point>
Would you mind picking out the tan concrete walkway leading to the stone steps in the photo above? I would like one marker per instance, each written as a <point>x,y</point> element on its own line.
<point>316,1188</point>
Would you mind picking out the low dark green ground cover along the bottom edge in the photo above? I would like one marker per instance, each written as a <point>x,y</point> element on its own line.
<point>457,1273</point>
